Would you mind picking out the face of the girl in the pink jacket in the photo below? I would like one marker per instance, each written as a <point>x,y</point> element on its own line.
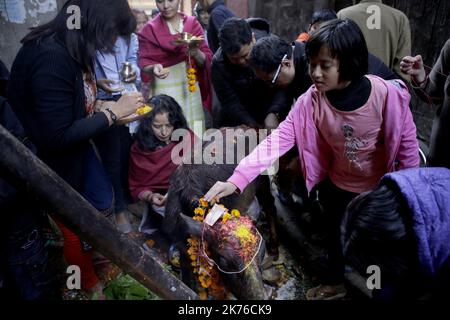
<point>324,71</point>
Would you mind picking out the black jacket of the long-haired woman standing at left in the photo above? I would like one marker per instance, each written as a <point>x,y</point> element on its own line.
<point>46,91</point>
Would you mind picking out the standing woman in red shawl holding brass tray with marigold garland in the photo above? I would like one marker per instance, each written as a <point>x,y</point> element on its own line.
<point>166,64</point>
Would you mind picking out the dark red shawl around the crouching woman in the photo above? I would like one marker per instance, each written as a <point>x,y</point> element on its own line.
<point>151,170</point>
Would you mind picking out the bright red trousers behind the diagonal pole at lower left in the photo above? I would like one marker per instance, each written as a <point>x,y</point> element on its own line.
<point>75,255</point>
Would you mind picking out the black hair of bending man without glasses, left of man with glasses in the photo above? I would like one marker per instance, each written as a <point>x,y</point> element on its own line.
<point>234,34</point>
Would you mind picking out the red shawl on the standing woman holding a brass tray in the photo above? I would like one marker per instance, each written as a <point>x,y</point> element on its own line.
<point>155,46</point>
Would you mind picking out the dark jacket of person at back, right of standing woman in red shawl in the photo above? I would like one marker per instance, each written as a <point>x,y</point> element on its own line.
<point>218,14</point>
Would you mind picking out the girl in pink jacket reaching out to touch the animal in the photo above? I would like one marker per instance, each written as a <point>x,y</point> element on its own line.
<point>350,129</point>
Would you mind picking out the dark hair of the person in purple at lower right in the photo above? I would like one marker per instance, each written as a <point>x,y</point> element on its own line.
<point>377,230</point>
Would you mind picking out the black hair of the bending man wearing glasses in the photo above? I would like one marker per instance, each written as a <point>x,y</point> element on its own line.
<point>268,52</point>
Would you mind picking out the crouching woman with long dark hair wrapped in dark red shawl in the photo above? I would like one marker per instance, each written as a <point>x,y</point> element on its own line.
<point>151,162</point>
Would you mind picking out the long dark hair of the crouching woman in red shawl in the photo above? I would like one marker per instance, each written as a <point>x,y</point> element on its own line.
<point>161,104</point>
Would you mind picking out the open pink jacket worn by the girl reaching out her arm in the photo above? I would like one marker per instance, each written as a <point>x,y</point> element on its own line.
<point>303,129</point>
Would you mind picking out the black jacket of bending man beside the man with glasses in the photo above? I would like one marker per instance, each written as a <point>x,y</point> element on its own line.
<point>244,98</point>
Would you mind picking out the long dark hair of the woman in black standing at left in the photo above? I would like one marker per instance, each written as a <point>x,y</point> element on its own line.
<point>102,21</point>
